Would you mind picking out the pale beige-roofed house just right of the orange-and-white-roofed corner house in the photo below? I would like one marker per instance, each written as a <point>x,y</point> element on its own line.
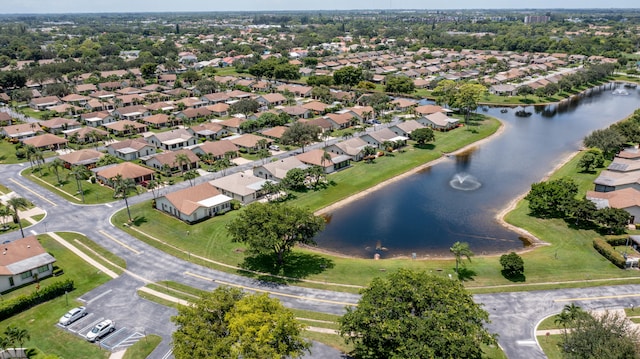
<point>240,186</point>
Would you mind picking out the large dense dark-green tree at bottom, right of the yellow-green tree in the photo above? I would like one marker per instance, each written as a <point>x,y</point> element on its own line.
<point>411,314</point>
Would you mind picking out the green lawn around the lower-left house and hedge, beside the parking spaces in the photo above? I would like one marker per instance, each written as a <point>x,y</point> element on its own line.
<point>40,321</point>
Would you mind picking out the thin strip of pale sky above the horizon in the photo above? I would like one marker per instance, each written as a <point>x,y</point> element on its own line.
<point>86,6</point>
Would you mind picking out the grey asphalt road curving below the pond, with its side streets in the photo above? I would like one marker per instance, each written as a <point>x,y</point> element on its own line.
<point>513,315</point>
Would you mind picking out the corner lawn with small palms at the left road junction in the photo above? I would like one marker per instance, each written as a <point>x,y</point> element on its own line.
<point>93,192</point>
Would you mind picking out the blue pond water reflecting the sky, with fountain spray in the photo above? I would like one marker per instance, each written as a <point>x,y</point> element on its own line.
<point>424,214</point>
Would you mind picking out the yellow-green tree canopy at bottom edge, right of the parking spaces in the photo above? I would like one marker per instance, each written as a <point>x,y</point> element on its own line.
<point>227,323</point>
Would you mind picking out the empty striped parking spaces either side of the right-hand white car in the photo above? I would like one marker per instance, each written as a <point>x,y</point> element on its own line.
<point>121,338</point>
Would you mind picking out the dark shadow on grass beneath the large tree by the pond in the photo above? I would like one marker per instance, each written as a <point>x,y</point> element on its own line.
<point>296,266</point>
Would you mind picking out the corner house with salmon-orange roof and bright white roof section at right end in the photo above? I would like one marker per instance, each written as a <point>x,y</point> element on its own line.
<point>194,204</point>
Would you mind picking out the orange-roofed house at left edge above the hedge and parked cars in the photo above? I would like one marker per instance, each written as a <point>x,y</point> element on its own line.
<point>24,261</point>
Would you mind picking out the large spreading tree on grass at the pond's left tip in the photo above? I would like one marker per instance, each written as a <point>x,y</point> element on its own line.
<point>269,228</point>
